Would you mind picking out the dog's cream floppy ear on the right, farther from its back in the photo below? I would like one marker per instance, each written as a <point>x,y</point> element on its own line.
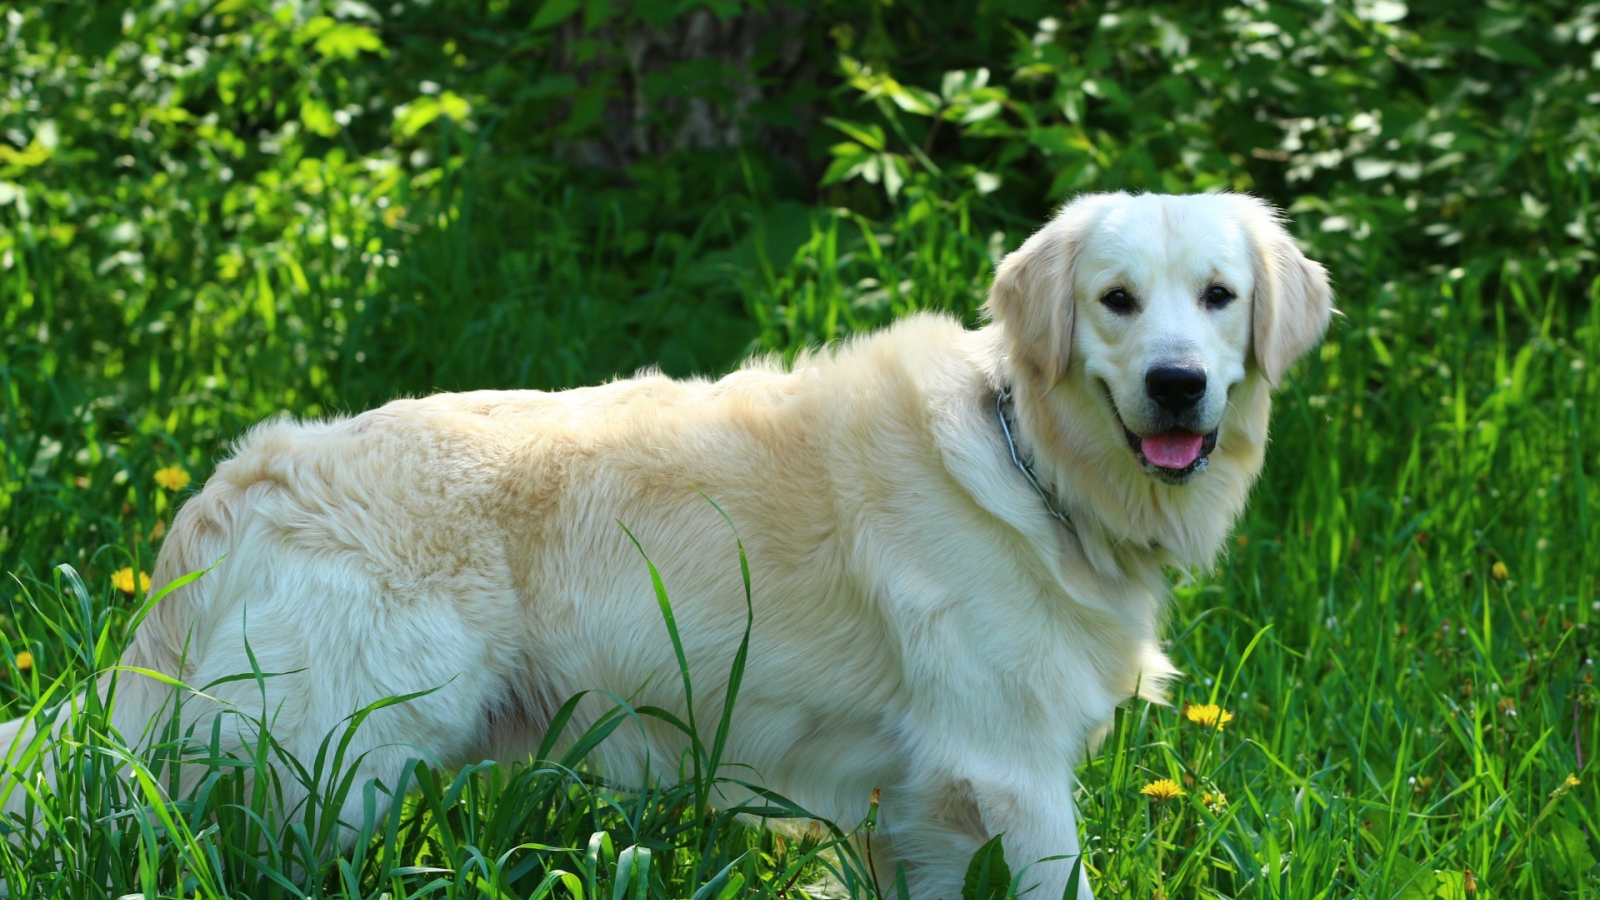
<point>1292,302</point>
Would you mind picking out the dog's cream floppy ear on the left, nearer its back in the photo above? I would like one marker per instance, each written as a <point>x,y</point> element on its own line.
<point>1033,292</point>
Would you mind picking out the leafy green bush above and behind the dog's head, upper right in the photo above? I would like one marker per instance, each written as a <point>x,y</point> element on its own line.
<point>1414,139</point>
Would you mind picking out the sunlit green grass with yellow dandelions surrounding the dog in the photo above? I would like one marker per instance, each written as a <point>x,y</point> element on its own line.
<point>1404,630</point>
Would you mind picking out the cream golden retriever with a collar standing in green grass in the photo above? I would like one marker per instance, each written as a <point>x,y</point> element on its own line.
<point>956,544</point>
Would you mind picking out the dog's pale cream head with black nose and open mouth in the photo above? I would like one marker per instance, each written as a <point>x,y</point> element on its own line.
<point>1161,307</point>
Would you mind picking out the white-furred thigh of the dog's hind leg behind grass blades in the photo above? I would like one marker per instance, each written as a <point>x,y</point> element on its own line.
<point>356,678</point>
